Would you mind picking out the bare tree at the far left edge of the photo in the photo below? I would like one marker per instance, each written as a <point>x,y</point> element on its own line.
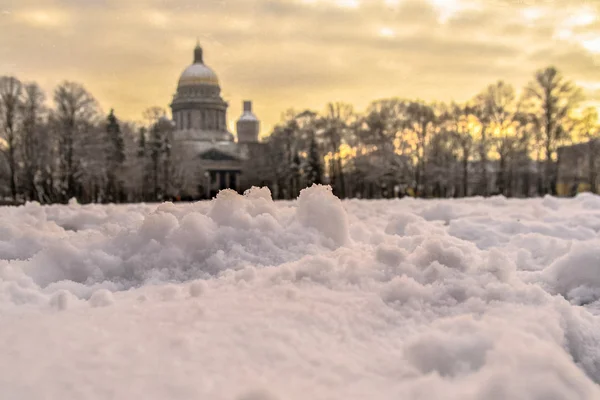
<point>10,97</point>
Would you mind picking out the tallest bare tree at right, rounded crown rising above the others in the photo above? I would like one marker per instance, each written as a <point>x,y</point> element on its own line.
<point>551,98</point>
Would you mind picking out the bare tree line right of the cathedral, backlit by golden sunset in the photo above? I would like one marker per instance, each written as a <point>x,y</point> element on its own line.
<point>502,141</point>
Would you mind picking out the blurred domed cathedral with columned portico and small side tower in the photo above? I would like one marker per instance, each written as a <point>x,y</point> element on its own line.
<point>211,157</point>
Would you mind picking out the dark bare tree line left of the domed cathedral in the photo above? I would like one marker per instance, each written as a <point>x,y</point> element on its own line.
<point>52,154</point>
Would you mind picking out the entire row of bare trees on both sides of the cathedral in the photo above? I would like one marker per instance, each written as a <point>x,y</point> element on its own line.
<point>500,142</point>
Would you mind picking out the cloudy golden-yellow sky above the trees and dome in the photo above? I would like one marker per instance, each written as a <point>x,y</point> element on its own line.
<point>298,53</point>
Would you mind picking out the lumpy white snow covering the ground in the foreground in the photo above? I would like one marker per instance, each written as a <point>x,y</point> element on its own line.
<point>246,298</point>
